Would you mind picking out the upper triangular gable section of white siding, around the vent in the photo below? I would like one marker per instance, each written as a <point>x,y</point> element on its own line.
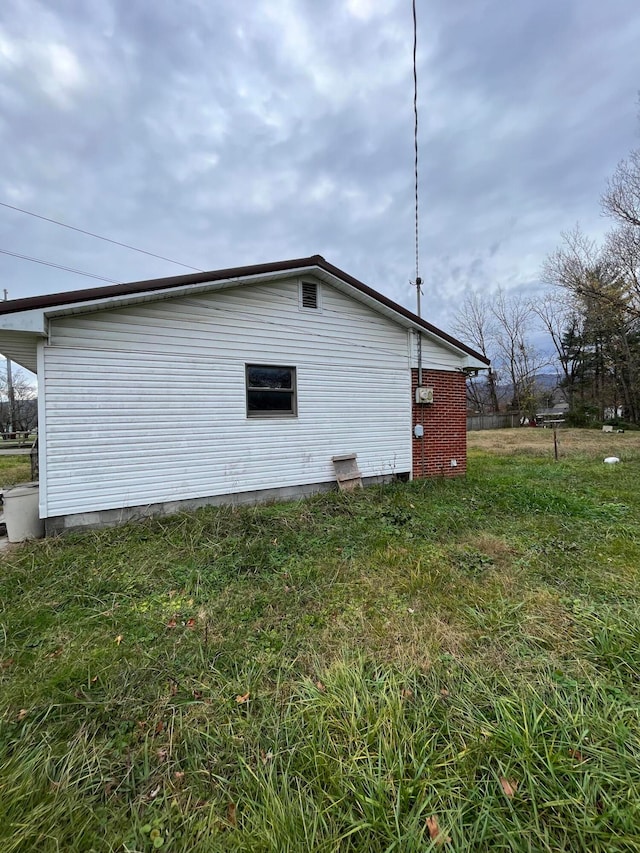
<point>242,322</point>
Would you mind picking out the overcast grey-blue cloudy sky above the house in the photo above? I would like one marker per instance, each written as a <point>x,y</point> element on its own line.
<point>221,133</point>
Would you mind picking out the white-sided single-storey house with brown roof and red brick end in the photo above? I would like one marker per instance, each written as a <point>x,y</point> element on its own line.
<point>233,385</point>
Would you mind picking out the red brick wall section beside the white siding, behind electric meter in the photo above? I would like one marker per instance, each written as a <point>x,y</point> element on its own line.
<point>445,425</point>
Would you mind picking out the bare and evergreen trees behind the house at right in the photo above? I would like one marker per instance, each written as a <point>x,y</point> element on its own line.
<point>590,315</point>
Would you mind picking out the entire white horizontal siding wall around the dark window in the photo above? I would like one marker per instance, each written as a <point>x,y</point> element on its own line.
<point>147,404</point>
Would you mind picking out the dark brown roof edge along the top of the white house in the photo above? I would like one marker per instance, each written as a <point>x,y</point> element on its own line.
<point>95,294</point>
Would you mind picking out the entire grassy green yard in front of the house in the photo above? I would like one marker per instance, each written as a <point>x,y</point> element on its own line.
<point>433,665</point>
